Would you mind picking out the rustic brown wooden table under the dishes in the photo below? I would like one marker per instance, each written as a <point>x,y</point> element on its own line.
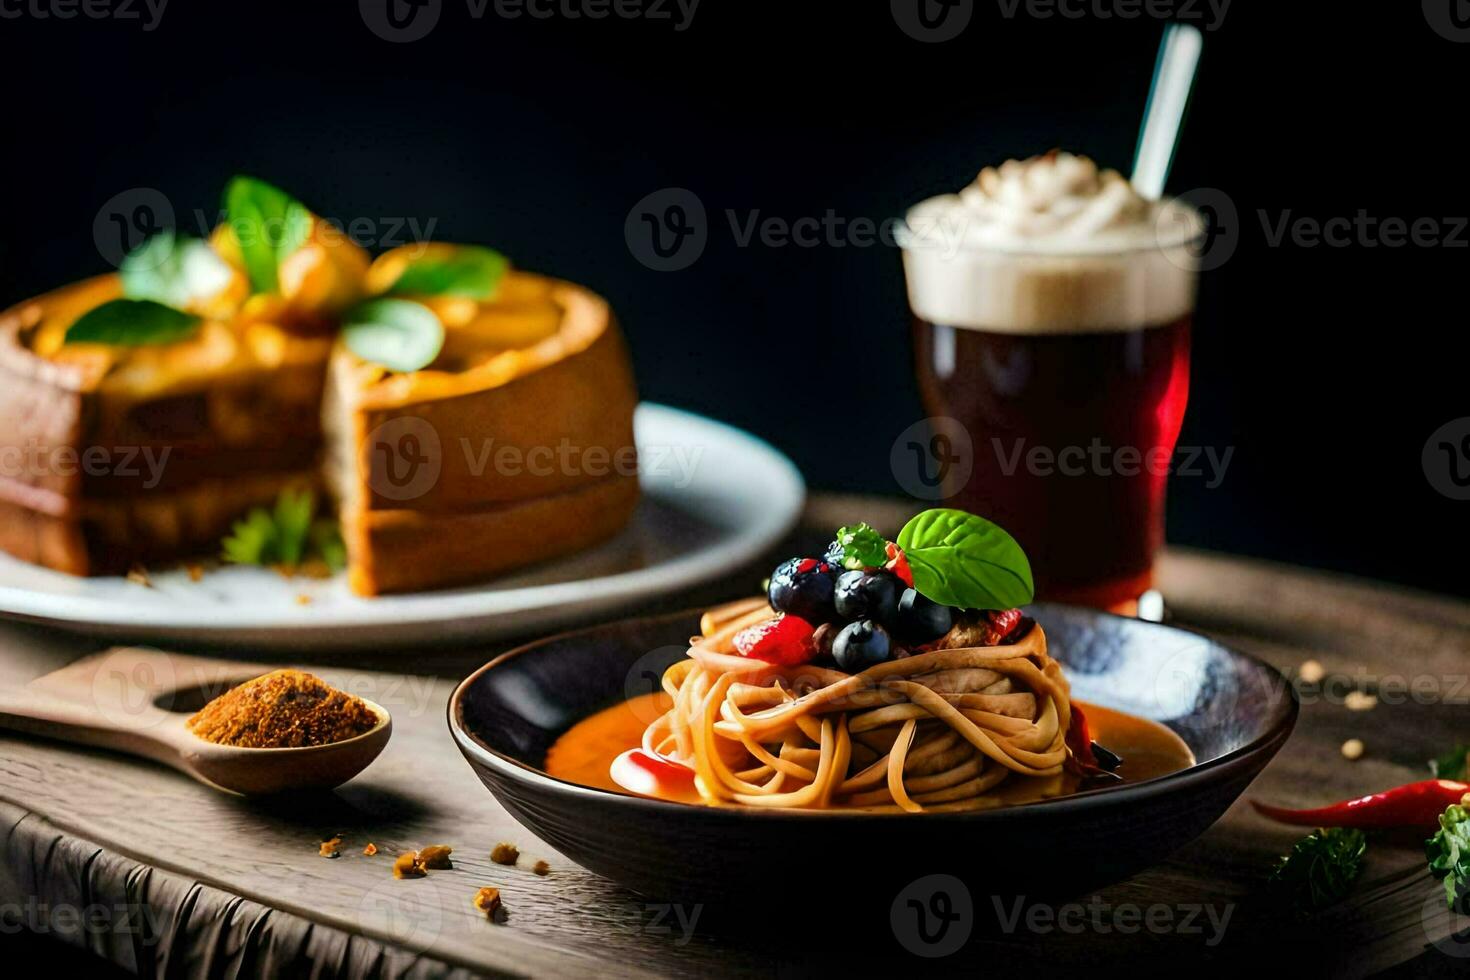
<point>161,875</point>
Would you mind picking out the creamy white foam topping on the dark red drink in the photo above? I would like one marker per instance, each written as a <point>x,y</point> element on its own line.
<point>1050,245</point>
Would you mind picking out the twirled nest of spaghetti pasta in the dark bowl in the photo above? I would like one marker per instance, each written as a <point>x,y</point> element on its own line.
<point>931,732</point>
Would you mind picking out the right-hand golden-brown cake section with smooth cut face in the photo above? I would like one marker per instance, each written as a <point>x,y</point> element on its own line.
<point>515,444</point>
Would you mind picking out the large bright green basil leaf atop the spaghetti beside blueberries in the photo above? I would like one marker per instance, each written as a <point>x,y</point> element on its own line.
<point>967,562</point>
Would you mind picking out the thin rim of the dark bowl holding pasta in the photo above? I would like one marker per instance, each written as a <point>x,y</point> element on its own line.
<point>480,754</point>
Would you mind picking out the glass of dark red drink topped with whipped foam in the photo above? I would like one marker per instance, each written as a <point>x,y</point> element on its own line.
<point>1052,314</point>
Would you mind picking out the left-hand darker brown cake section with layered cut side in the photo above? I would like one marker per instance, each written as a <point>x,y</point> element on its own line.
<point>117,456</point>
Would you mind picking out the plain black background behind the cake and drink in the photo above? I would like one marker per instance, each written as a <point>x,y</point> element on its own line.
<point>1327,368</point>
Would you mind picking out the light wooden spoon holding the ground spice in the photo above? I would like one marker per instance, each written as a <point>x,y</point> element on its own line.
<point>111,700</point>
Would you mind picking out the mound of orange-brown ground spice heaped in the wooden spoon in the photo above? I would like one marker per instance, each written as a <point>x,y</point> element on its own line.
<point>284,709</point>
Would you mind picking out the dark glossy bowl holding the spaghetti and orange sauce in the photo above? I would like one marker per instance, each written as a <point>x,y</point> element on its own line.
<point>1233,710</point>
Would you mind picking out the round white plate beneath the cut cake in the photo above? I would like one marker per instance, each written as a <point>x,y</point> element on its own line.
<point>714,499</point>
